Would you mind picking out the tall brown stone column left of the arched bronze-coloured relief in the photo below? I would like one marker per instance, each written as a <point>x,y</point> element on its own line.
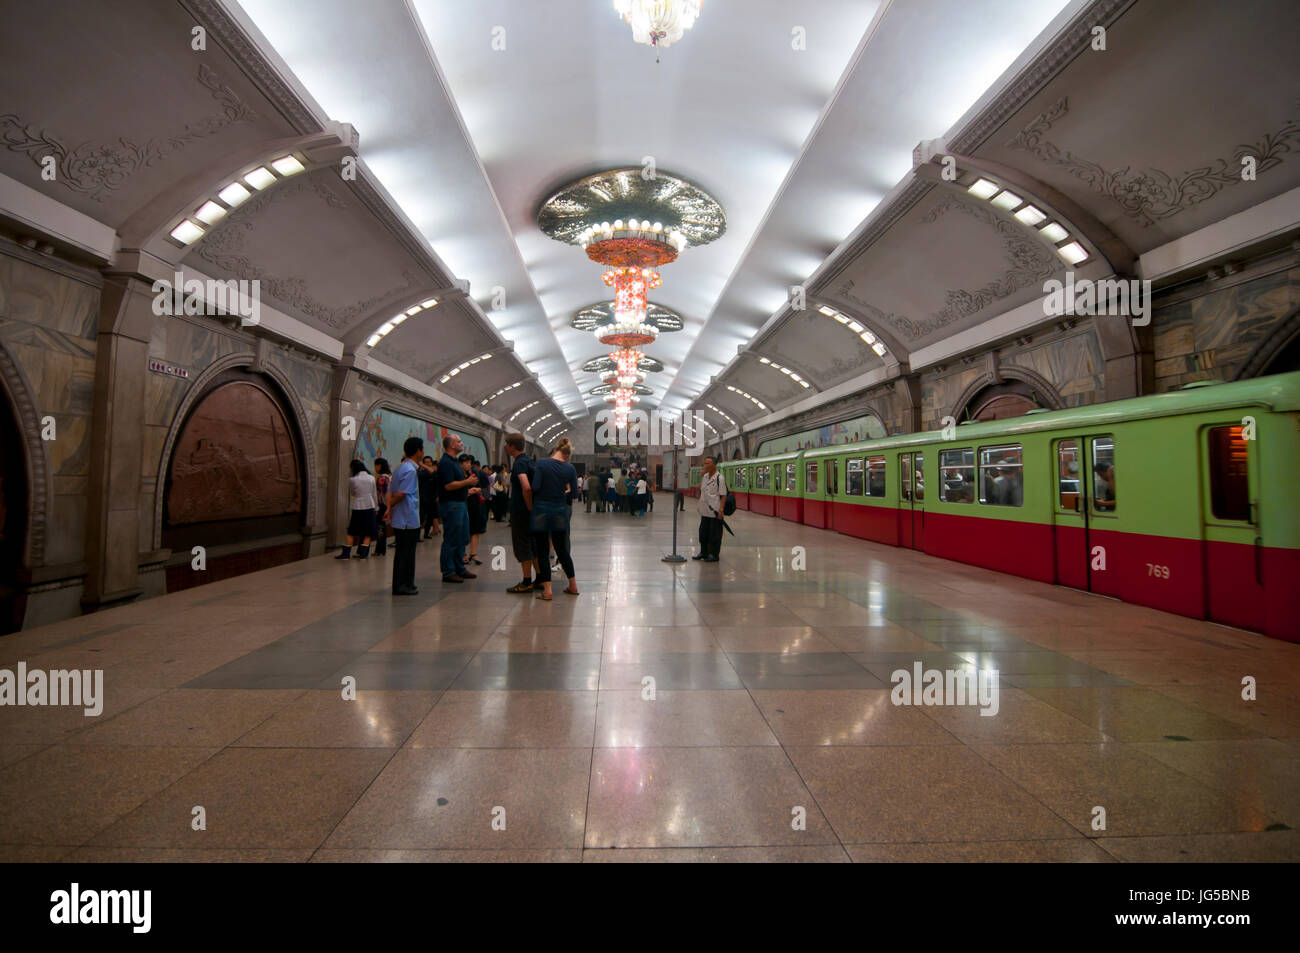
<point>118,434</point>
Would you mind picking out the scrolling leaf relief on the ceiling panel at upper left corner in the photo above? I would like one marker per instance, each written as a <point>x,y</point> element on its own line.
<point>97,168</point>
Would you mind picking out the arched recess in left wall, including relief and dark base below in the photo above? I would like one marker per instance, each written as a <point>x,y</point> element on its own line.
<point>235,483</point>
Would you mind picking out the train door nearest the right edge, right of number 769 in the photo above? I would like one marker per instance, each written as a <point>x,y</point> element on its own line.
<point>1230,522</point>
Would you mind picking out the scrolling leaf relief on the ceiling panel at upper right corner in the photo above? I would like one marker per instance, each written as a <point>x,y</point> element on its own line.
<point>1152,196</point>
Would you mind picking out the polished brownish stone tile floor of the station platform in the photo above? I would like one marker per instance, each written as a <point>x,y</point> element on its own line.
<point>489,726</point>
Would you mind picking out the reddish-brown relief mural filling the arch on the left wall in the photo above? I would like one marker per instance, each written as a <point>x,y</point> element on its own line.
<point>236,458</point>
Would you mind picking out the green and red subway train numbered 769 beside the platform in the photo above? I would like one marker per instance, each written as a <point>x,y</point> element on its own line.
<point>1185,503</point>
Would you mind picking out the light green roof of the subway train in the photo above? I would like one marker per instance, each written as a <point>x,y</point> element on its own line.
<point>1276,393</point>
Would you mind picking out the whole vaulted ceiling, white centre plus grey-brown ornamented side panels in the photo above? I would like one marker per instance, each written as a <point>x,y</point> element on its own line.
<point>801,120</point>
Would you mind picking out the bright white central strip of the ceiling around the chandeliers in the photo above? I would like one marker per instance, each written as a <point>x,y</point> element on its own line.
<point>480,111</point>
